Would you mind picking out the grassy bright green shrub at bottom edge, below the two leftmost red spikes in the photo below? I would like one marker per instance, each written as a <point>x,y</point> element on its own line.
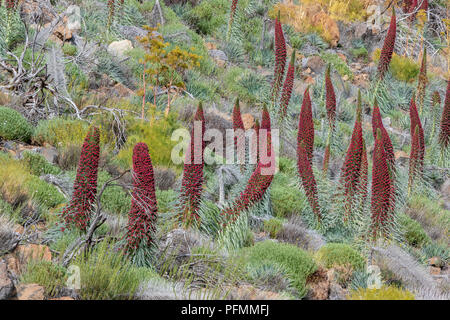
<point>108,275</point>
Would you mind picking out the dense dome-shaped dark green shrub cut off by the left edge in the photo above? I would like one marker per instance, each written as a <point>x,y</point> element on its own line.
<point>13,126</point>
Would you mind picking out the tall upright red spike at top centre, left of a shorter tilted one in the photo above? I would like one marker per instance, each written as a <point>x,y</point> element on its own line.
<point>280,58</point>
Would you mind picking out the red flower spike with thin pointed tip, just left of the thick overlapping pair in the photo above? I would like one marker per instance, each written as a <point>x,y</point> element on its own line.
<point>351,169</point>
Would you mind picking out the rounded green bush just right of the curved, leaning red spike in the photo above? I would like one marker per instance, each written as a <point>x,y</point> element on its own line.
<point>286,199</point>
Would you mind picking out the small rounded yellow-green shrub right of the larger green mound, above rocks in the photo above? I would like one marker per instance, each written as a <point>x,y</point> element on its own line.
<point>339,254</point>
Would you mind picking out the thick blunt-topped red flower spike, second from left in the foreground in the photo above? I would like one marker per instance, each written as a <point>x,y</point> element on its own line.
<point>143,213</point>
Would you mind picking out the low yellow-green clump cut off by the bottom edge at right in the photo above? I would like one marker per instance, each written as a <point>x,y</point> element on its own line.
<point>384,293</point>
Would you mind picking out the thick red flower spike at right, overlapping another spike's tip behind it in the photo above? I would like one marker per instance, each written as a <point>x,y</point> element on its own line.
<point>382,190</point>
